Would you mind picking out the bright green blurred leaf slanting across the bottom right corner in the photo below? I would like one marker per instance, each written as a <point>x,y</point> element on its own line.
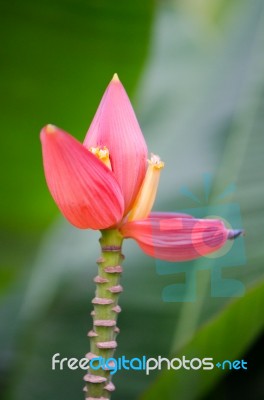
<point>227,336</point>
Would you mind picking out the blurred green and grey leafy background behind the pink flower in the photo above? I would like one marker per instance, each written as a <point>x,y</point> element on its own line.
<point>194,70</point>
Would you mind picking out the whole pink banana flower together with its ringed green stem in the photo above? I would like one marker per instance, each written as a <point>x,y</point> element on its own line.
<point>109,184</point>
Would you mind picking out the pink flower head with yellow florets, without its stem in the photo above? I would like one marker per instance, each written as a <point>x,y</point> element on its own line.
<point>107,182</point>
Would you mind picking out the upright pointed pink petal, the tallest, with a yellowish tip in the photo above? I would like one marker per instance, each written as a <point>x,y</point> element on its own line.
<point>116,127</point>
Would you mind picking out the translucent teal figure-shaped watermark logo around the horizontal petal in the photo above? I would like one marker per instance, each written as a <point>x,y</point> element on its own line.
<point>218,263</point>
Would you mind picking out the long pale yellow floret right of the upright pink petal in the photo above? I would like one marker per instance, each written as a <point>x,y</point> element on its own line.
<point>147,193</point>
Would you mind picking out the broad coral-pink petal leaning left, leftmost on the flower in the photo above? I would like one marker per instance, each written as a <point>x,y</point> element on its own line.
<point>84,189</point>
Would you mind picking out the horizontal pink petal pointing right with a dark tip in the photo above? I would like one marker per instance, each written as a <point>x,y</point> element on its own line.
<point>176,239</point>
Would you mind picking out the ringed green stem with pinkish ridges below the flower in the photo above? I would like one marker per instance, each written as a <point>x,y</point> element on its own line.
<point>106,309</point>
